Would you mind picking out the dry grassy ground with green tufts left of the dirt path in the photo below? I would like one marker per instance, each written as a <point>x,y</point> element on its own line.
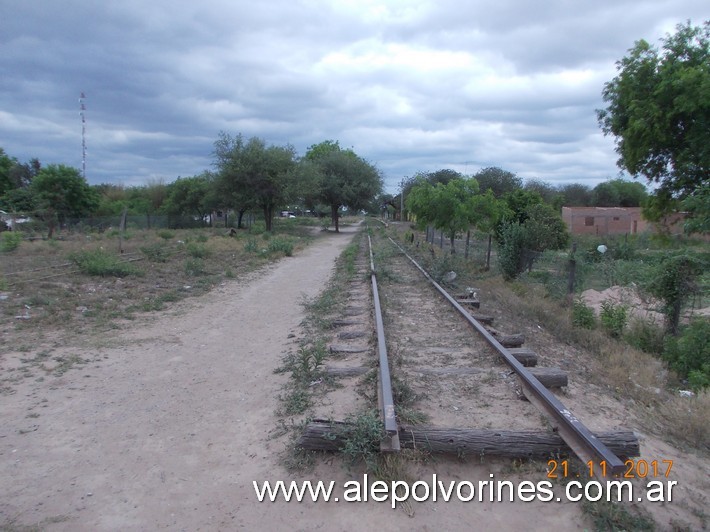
<point>81,282</point>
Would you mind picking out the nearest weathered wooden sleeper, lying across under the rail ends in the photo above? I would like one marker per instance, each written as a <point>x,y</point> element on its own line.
<point>326,435</point>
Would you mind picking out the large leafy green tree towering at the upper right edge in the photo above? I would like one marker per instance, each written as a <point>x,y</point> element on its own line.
<point>658,108</point>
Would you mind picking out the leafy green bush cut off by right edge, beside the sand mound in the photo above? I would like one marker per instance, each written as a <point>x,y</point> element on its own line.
<point>689,353</point>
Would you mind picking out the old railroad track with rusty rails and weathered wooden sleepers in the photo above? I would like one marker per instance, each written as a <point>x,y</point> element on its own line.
<point>440,361</point>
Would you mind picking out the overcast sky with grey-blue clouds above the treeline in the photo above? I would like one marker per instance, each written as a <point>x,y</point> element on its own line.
<point>411,86</point>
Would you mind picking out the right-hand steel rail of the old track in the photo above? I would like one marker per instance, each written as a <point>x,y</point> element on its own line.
<point>579,438</point>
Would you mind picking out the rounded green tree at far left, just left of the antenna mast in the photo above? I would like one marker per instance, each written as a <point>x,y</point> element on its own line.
<point>62,192</point>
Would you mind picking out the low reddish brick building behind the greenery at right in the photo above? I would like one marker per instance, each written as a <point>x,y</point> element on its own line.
<point>616,221</point>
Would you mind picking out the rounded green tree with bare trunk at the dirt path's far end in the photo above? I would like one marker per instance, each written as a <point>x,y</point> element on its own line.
<point>342,179</point>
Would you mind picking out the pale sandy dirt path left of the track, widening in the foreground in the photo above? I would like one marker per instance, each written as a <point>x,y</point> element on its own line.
<point>171,422</point>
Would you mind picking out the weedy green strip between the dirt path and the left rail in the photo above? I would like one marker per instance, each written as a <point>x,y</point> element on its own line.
<point>310,386</point>
